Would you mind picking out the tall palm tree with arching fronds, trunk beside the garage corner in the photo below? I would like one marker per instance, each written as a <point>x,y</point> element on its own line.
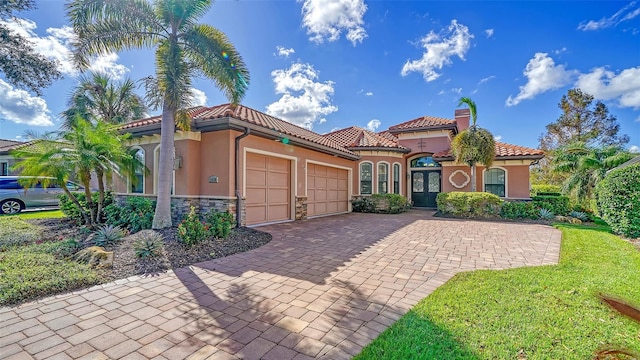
<point>183,49</point>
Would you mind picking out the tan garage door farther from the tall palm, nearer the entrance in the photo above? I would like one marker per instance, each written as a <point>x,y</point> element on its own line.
<point>327,190</point>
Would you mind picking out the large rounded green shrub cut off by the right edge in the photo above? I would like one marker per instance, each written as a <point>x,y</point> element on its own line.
<point>618,199</point>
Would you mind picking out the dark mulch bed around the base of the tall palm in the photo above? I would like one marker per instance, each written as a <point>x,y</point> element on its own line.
<point>174,253</point>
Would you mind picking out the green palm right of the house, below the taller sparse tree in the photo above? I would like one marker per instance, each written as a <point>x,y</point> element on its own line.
<point>584,166</point>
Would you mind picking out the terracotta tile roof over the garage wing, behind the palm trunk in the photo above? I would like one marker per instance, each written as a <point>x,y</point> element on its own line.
<point>251,116</point>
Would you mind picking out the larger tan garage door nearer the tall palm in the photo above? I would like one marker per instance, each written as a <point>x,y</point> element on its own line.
<point>268,189</point>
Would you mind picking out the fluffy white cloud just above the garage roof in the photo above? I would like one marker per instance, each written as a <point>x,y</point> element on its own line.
<point>304,99</point>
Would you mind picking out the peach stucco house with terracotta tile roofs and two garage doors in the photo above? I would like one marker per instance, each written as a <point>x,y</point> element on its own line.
<point>276,171</point>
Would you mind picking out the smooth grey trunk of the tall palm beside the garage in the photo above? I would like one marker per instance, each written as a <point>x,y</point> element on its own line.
<point>162,216</point>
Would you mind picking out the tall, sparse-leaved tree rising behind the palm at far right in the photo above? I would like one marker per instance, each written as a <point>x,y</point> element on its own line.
<point>582,121</point>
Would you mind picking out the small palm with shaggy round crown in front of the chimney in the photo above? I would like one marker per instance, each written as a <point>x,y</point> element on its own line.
<point>473,145</point>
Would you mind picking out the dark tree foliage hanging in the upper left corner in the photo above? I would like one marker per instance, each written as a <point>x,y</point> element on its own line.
<point>21,65</point>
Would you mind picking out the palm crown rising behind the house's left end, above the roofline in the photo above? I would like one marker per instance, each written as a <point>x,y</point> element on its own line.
<point>99,97</point>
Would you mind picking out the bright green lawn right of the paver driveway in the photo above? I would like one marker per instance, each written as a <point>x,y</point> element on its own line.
<point>548,312</point>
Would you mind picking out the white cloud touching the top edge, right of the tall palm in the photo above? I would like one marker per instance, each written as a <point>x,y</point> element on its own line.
<point>327,19</point>
